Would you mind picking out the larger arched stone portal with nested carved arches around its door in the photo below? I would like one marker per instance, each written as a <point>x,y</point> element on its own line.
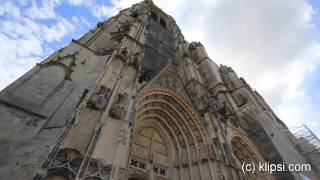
<point>168,140</point>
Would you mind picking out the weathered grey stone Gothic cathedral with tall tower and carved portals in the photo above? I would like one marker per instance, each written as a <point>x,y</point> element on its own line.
<point>132,99</point>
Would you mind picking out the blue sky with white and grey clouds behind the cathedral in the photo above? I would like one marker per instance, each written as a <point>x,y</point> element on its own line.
<point>273,44</point>
